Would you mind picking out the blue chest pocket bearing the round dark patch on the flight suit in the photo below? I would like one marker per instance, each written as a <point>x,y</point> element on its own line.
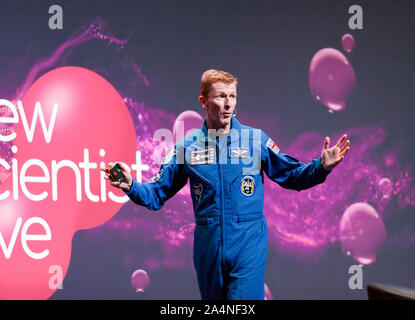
<point>247,192</point>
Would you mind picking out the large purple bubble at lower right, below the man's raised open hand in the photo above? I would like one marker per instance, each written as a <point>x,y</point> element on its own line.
<point>362,232</point>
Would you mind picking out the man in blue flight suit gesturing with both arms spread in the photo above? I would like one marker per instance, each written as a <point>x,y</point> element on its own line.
<point>225,162</point>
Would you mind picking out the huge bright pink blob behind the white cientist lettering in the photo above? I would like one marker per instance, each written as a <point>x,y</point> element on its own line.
<point>58,182</point>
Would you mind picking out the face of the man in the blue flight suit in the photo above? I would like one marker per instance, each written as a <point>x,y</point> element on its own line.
<point>220,104</point>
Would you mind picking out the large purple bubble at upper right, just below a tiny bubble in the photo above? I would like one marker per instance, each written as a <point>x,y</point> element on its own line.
<point>331,78</point>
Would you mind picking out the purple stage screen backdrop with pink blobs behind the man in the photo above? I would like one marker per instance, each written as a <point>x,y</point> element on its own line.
<point>85,83</point>
